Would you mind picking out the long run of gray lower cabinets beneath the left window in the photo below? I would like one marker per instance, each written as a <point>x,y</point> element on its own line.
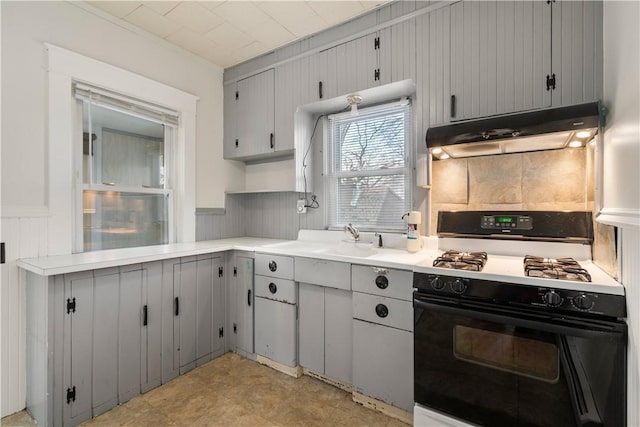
<point>95,339</point>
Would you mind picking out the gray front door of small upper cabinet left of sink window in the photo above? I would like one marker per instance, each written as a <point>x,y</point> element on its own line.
<point>255,114</point>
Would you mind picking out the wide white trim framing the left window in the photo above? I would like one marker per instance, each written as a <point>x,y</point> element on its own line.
<point>65,67</point>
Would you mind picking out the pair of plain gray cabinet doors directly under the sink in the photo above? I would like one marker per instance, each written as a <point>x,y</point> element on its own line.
<point>325,331</point>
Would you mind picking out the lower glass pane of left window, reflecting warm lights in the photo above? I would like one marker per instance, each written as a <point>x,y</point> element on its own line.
<point>114,219</point>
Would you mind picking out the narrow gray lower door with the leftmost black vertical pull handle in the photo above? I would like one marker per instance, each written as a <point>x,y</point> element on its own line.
<point>151,357</point>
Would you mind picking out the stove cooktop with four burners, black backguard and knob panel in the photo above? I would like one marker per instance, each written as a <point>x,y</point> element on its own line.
<point>490,259</point>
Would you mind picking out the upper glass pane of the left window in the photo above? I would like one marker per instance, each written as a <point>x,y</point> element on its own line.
<point>126,150</point>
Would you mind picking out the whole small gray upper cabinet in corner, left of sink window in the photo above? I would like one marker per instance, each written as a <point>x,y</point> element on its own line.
<point>249,127</point>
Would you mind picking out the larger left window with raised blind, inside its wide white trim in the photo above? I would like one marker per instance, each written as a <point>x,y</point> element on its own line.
<point>124,194</point>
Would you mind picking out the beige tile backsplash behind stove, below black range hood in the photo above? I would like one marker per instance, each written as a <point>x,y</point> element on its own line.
<point>544,180</point>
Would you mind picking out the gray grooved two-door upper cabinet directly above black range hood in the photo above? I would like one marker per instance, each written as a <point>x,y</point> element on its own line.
<point>522,55</point>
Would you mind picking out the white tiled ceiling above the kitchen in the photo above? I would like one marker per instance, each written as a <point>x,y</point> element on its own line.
<point>230,32</point>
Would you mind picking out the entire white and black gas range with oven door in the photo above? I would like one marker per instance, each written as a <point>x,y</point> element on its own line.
<point>511,317</point>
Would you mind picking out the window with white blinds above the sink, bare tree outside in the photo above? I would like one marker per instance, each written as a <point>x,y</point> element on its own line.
<point>369,172</point>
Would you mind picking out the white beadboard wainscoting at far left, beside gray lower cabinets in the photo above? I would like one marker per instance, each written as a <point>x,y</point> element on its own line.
<point>25,233</point>
